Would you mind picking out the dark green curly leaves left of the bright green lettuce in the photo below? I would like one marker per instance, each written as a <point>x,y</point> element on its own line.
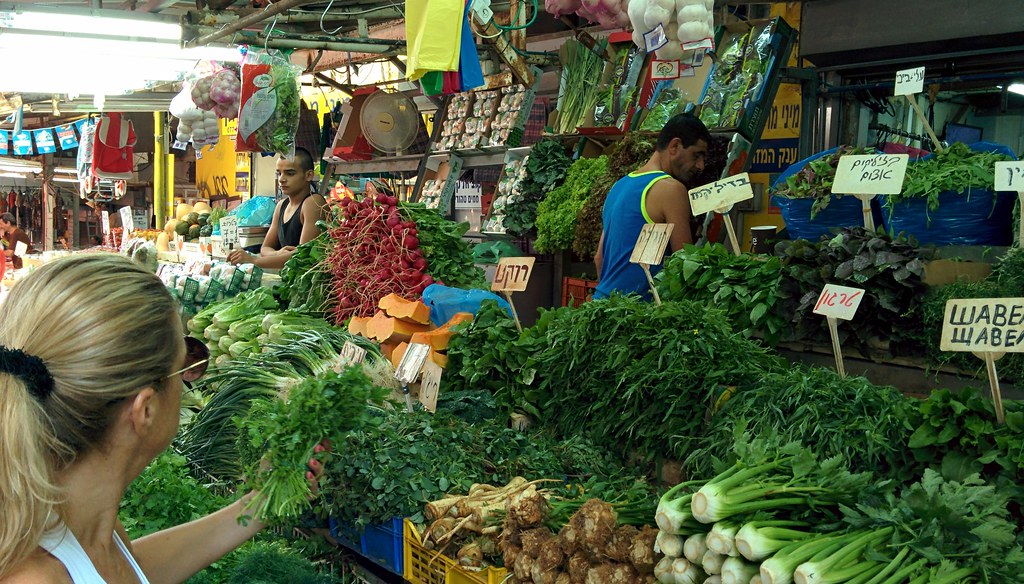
<point>546,169</point>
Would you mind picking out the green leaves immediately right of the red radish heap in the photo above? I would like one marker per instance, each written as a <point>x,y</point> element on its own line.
<point>450,258</point>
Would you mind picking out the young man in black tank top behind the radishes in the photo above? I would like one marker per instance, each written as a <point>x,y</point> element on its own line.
<point>295,218</point>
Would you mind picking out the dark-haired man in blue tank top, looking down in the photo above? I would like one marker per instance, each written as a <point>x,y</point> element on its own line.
<point>654,194</point>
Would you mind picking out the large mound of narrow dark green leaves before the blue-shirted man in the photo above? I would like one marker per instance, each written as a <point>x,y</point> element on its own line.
<point>637,377</point>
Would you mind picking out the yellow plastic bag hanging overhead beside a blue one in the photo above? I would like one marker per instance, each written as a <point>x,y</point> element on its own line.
<point>434,35</point>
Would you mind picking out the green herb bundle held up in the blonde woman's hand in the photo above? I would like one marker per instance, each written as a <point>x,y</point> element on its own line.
<point>279,436</point>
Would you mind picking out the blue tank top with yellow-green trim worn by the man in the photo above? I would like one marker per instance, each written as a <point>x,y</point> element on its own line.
<point>625,215</point>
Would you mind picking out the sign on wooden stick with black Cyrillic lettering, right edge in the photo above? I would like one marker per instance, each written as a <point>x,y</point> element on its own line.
<point>990,328</point>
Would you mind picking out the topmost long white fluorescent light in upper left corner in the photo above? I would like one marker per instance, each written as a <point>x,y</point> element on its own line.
<point>93,23</point>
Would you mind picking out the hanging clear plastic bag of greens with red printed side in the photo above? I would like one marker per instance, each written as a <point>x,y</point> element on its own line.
<point>269,114</point>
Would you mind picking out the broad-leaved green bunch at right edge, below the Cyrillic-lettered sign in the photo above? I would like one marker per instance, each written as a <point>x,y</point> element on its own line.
<point>959,436</point>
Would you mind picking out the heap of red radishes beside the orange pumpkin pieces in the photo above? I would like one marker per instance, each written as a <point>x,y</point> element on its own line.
<point>374,254</point>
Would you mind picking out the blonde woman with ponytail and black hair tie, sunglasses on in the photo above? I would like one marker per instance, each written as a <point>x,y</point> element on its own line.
<point>93,364</point>
